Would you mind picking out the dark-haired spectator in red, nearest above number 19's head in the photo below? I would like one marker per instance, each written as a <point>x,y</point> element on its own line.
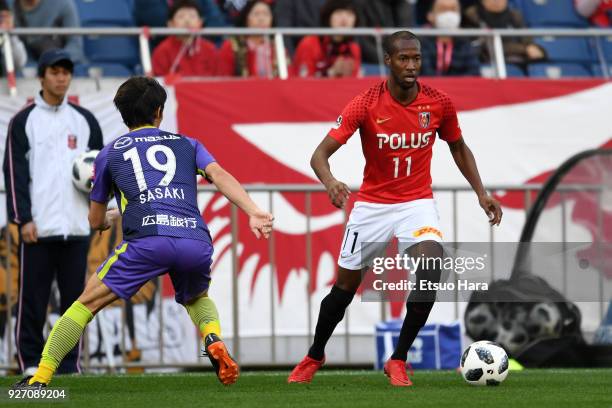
<point>188,55</point>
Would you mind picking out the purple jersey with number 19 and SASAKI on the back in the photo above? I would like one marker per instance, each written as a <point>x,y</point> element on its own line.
<point>152,174</point>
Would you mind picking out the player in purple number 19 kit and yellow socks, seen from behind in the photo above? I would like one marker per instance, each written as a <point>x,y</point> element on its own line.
<point>152,174</point>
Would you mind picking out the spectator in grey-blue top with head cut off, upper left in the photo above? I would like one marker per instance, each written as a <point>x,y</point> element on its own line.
<point>49,13</point>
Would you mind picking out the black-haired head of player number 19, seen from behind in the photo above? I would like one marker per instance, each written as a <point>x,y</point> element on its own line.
<point>139,100</point>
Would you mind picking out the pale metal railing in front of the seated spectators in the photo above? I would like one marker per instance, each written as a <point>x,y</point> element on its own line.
<point>494,36</point>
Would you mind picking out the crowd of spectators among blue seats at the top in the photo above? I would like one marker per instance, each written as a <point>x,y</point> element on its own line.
<point>311,56</point>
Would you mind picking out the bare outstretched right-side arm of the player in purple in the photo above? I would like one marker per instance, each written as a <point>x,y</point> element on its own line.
<point>259,221</point>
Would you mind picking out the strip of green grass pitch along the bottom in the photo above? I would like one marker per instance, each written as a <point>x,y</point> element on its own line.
<point>530,388</point>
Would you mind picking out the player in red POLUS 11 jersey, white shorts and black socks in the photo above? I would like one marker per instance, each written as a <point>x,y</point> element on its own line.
<point>398,120</point>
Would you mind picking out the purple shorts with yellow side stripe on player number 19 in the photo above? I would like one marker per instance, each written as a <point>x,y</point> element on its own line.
<point>135,262</point>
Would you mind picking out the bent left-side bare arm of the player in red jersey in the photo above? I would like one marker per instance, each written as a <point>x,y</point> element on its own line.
<point>338,191</point>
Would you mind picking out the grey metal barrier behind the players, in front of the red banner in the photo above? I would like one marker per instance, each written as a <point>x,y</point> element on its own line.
<point>308,190</point>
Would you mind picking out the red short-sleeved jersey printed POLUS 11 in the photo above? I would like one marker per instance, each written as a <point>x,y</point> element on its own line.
<point>397,140</point>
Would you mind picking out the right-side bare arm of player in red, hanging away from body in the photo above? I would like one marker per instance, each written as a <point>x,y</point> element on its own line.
<point>467,165</point>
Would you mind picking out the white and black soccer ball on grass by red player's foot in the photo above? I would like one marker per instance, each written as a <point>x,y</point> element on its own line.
<point>484,363</point>
